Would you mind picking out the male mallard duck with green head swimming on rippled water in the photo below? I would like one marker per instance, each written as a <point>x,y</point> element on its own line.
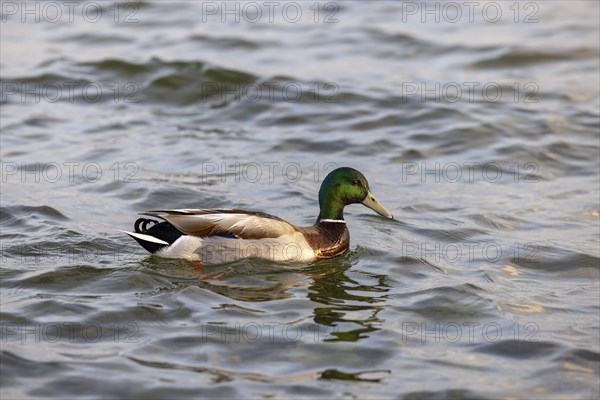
<point>219,235</point>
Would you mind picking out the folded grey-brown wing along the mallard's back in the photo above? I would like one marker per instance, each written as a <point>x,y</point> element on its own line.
<point>213,222</point>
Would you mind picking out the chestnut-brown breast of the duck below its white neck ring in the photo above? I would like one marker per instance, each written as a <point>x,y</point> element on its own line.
<point>327,239</point>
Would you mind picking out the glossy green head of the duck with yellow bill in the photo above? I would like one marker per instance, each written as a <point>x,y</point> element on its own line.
<point>345,186</point>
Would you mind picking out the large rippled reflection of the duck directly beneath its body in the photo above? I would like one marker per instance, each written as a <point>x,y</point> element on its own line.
<point>344,302</point>
